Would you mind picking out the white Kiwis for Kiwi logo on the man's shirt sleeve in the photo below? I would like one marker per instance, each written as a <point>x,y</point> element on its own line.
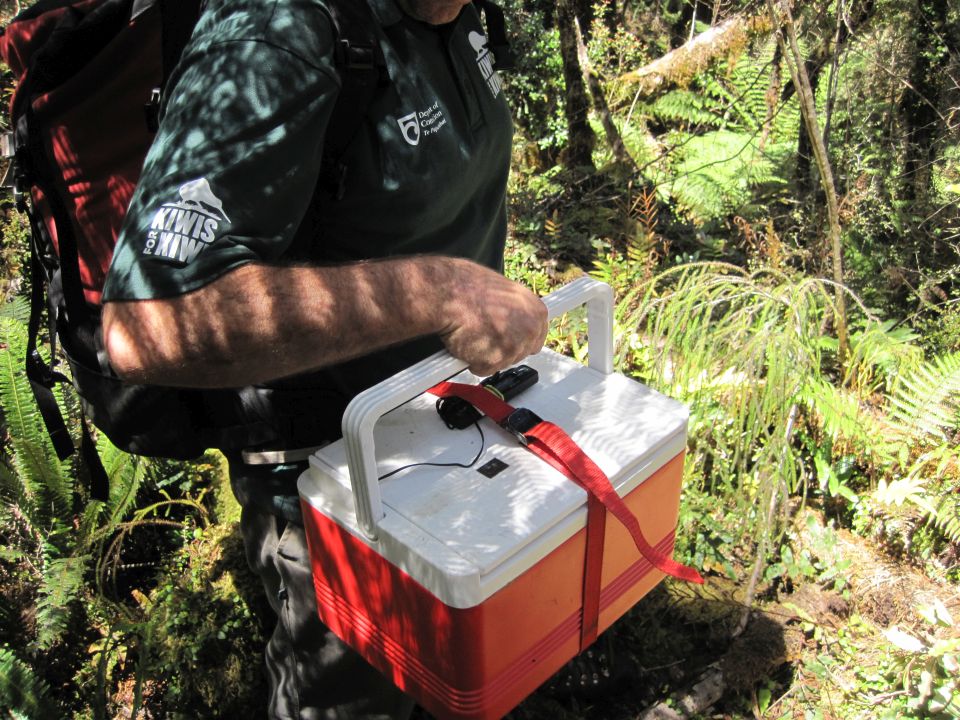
<point>181,230</point>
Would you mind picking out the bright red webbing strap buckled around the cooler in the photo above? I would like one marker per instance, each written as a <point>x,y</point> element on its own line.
<point>554,446</point>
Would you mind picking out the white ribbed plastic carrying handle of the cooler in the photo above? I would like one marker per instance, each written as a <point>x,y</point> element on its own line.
<point>366,408</point>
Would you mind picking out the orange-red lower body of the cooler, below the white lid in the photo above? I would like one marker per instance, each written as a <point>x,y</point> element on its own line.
<point>481,661</point>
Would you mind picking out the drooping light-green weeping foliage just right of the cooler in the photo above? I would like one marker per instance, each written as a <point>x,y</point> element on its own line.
<point>734,346</point>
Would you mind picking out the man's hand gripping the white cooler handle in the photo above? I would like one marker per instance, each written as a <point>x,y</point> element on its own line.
<point>493,322</point>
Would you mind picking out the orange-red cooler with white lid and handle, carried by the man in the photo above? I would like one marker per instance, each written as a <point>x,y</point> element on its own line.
<point>465,586</point>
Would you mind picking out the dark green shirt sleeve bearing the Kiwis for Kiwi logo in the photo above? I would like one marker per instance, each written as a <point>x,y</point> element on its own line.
<point>234,165</point>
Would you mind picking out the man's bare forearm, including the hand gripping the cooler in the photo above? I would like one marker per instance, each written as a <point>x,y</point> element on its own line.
<point>259,322</point>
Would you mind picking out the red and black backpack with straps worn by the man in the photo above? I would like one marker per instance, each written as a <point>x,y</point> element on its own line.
<point>90,77</point>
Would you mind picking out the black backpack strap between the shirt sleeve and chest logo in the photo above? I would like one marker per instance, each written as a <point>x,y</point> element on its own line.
<point>363,75</point>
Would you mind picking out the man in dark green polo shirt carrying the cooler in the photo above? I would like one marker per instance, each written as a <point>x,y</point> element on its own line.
<point>232,272</point>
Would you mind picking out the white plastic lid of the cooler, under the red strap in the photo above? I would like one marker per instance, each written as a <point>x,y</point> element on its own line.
<point>500,515</point>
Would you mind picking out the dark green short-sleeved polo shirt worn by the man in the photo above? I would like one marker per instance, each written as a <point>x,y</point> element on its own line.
<point>230,177</point>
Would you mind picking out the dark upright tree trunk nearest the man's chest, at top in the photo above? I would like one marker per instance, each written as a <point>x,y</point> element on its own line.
<point>580,138</point>
